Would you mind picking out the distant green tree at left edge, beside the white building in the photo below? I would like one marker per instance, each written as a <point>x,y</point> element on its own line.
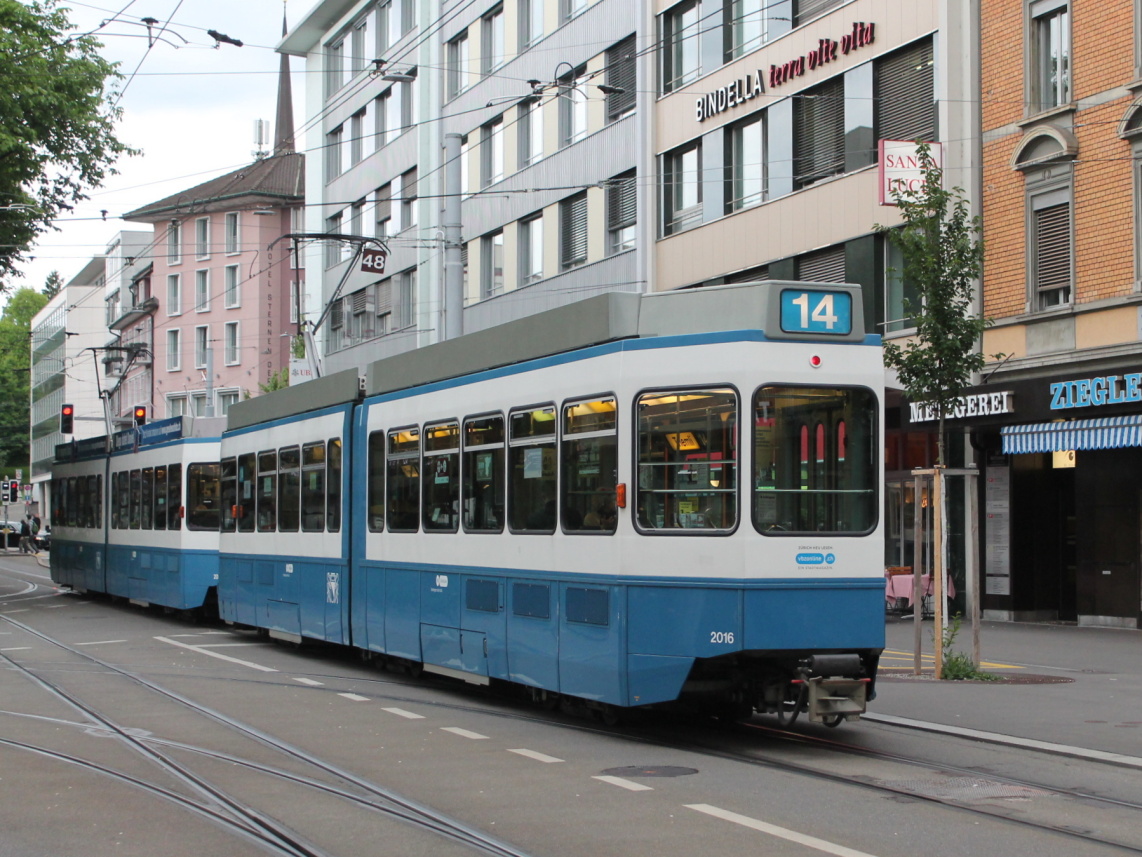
<point>15,366</point>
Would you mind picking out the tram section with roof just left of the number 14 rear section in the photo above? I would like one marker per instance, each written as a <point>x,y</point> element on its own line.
<point>284,548</point>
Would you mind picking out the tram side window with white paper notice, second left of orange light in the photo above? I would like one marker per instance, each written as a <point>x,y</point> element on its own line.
<point>532,470</point>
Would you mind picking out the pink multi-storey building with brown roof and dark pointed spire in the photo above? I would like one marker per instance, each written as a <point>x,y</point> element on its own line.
<point>223,294</point>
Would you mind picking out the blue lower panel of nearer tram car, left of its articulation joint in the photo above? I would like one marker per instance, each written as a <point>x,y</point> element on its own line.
<point>293,596</point>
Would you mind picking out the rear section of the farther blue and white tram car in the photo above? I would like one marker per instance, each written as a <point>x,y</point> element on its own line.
<point>164,514</point>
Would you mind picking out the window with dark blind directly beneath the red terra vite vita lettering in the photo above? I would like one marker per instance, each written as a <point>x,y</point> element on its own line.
<point>819,133</point>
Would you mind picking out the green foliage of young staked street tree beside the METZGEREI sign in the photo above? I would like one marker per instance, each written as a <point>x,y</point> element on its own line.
<point>943,258</point>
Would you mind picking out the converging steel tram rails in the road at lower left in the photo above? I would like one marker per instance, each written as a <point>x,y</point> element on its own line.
<point>262,828</point>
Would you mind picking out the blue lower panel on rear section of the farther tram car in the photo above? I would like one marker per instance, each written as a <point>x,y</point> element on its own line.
<point>176,579</point>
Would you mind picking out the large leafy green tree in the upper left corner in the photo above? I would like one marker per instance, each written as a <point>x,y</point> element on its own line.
<point>57,123</point>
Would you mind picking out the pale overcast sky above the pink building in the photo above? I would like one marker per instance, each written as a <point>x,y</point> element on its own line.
<point>190,108</point>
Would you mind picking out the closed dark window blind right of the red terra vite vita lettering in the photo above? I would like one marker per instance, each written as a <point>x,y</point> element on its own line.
<point>905,94</point>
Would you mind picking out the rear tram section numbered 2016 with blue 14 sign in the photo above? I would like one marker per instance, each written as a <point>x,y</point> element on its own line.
<point>633,501</point>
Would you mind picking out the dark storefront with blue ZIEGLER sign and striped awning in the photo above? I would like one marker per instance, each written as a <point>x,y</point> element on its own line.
<point>1060,498</point>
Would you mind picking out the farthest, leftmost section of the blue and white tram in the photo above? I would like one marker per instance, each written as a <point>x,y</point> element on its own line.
<point>79,534</point>
